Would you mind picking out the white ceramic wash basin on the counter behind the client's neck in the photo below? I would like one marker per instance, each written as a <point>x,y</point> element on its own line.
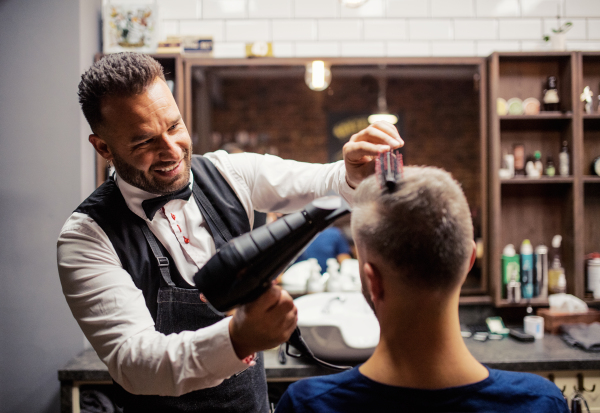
<point>338,326</point>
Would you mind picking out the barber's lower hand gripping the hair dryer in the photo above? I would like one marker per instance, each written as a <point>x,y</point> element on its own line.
<point>263,323</point>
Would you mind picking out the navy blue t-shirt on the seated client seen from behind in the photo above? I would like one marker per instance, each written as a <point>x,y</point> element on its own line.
<point>350,391</point>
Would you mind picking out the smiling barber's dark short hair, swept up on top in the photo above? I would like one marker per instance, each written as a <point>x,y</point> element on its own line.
<point>119,74</point>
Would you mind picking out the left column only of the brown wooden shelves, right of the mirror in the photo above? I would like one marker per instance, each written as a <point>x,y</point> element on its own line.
<point>533,208</point>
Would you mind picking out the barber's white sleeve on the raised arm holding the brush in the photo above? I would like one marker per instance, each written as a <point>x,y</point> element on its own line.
<point>272,184</point>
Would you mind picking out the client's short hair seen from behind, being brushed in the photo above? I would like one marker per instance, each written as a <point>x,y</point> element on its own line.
<point>423,228</point>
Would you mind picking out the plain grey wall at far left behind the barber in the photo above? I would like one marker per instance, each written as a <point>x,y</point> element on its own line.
<point>45,171</point>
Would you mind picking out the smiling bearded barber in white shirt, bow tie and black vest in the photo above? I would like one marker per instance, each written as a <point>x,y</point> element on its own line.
<point>128,254</point>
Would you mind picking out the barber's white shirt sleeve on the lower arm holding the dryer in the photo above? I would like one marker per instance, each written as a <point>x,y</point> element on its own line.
<point>113,315</point>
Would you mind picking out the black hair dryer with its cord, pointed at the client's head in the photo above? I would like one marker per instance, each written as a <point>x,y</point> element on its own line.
<point>244,268</point>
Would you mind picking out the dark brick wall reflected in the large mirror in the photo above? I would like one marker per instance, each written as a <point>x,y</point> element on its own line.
<point>283,116</point>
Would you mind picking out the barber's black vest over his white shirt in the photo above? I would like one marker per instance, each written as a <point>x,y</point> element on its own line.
<point>107,207</point>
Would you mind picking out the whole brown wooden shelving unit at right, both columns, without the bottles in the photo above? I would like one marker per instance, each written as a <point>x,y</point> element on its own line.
<point>539,208</point>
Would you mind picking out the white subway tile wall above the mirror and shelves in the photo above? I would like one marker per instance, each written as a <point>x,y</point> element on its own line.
<point>380,28</point>
